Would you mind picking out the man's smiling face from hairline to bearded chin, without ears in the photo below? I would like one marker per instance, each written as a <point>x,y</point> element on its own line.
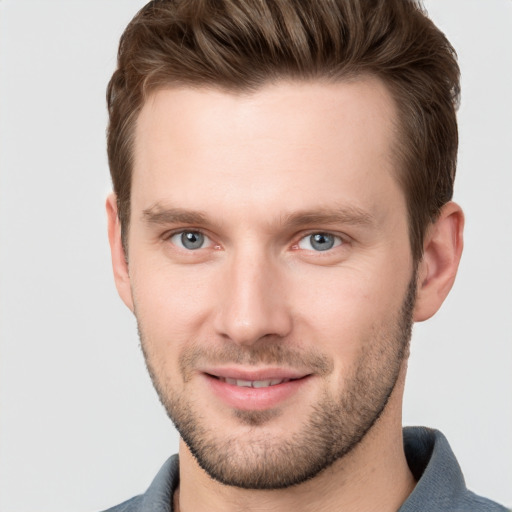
<point>270,272</point>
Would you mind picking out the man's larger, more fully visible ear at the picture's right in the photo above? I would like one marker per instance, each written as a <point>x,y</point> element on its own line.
<point>437,269</point>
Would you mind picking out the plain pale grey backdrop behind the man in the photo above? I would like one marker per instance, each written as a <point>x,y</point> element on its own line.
<point>80,426</point>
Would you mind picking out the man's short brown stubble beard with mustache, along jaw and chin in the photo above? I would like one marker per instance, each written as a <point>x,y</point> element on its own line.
<point>335,426</point>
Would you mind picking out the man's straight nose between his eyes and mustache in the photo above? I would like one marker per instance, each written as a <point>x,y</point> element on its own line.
<point>252,302</point>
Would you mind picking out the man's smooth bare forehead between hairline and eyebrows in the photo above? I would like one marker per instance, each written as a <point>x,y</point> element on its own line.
<point>301,138</point>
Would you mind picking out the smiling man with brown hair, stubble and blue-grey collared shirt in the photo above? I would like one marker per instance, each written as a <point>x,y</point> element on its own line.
<point>283,174</point>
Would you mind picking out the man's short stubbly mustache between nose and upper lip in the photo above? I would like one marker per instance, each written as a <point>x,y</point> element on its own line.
<point>266,353</point>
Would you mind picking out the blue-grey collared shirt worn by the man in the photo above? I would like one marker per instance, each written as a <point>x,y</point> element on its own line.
<point>440,484</point>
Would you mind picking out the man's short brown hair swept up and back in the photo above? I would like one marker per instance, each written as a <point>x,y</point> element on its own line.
<point>239,45</point>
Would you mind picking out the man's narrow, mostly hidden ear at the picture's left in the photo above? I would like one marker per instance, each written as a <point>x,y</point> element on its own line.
<point>119,260</point>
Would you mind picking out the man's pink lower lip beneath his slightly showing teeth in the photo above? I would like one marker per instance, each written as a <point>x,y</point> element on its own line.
<point>255,399</point>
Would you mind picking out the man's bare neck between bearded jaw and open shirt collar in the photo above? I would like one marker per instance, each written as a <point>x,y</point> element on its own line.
<point>373,476</point>
